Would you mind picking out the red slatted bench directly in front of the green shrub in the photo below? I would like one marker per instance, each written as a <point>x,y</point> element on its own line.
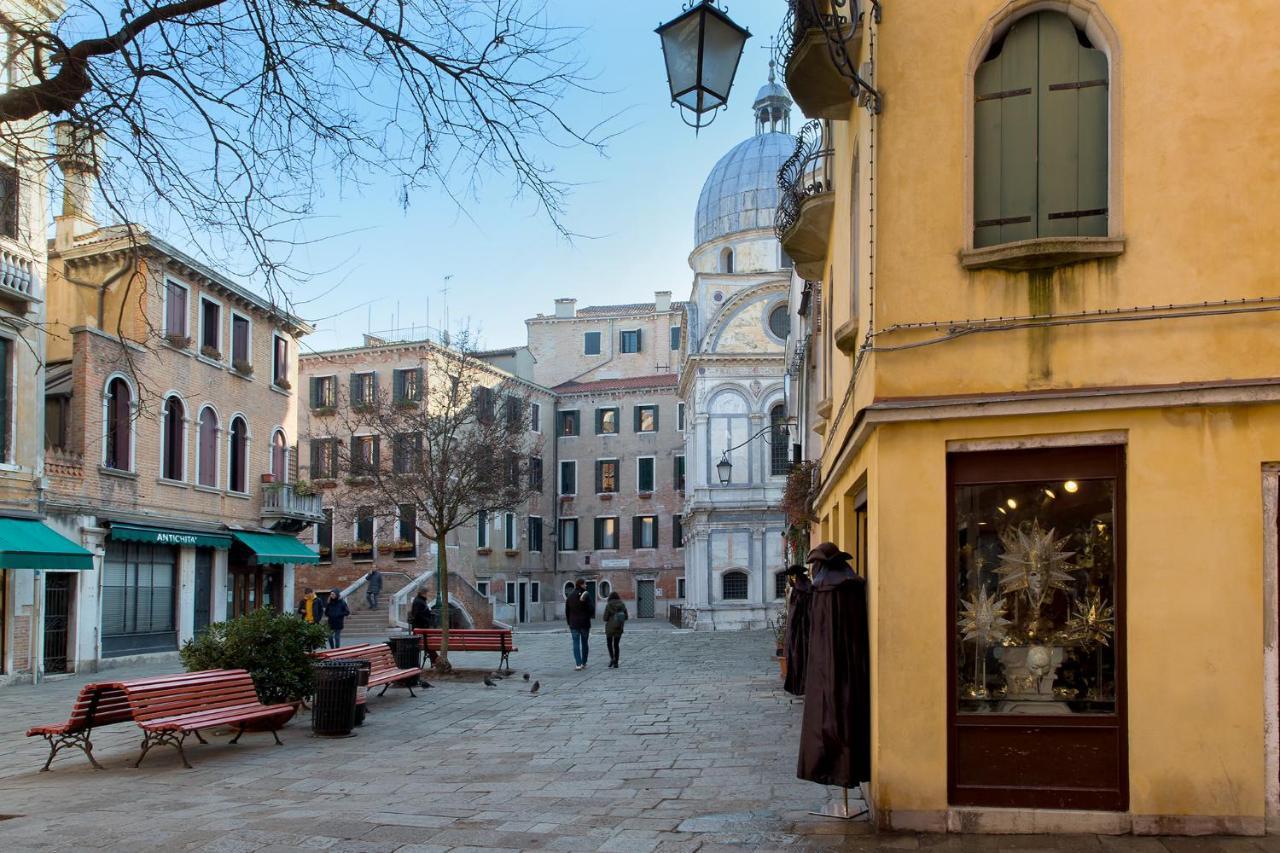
<point>172,708</point>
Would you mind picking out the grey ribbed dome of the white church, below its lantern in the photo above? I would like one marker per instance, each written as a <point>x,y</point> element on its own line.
<point>742,191</point>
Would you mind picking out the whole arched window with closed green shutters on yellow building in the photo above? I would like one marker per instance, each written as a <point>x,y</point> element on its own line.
<point>1041,140</point>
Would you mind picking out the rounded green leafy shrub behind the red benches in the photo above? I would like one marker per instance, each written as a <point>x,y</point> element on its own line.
<point>273,647</point>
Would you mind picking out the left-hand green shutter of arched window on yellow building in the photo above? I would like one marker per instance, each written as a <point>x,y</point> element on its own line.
<point>1005,144</point>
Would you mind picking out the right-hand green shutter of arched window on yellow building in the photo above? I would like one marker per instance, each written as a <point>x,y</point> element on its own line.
<point>1073,133</point>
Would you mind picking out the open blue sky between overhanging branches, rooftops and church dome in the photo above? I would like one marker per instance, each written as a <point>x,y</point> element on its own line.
<point>386,268</point>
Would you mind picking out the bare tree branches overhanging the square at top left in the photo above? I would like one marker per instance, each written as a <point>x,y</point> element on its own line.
<point>220,116</point>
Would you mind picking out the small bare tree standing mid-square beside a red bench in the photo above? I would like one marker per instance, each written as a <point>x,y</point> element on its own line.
<point>451,440</point>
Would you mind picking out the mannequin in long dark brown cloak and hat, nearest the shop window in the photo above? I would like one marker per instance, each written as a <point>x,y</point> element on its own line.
<point>835,736</point>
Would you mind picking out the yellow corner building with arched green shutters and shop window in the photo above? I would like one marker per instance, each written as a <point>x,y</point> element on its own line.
<point>1043,390</point>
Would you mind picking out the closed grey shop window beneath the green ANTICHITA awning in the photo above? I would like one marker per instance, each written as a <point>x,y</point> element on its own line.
<point>139,599</point>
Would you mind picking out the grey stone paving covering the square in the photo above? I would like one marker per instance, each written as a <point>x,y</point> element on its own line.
<point>689,747</point>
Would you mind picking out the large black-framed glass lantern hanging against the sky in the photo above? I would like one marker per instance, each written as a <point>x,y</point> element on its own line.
<point>702,49</point>
